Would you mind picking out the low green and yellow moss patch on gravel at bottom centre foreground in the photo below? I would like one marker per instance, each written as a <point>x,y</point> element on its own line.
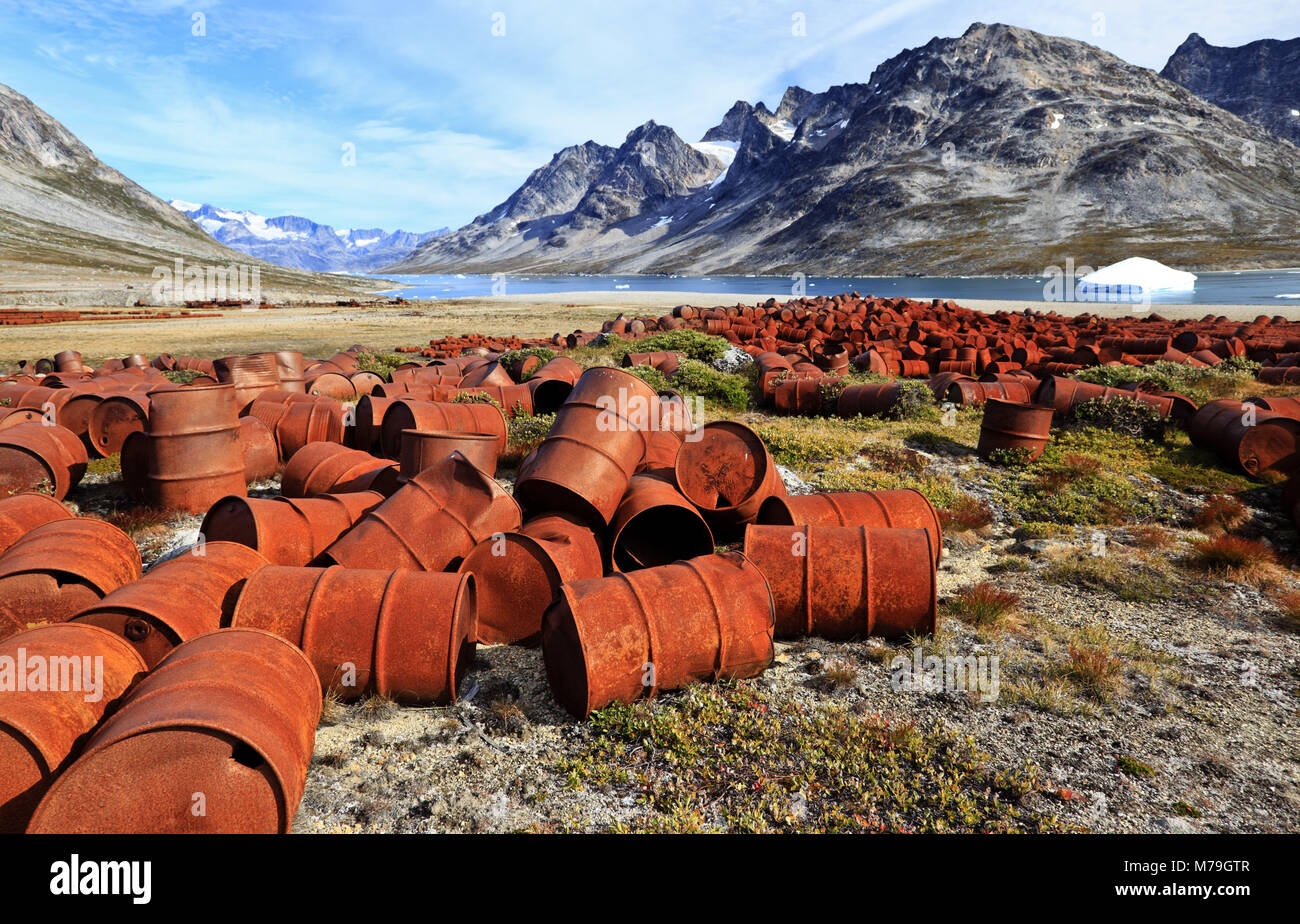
<point>729,758</point>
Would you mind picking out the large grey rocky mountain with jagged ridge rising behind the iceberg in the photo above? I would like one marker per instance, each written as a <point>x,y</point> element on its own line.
<point>999,151</point>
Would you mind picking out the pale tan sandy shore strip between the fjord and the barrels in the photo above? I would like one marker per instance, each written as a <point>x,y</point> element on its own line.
<point>322,329</point>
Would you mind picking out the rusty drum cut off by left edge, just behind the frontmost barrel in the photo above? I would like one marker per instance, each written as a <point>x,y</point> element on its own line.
<point>85,673</point>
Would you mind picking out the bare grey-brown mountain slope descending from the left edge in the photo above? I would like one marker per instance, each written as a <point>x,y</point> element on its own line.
<point>73,229</point>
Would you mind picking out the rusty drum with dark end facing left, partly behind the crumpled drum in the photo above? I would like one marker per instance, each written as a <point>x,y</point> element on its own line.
<point>287,531</point>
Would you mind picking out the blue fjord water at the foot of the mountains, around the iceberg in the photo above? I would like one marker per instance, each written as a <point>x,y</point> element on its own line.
<point>1279,289</point>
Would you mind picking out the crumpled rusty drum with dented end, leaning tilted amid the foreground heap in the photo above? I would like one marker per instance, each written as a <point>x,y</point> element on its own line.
<point>431,523</point>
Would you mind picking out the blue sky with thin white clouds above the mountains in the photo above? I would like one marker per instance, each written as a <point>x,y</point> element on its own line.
<point>447,118</point>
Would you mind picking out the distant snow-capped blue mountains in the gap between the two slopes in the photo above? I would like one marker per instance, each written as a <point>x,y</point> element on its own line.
<point>292,241</point>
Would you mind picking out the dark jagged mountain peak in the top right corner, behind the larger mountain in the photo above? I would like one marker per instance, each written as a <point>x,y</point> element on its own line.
<point>1260,81</point>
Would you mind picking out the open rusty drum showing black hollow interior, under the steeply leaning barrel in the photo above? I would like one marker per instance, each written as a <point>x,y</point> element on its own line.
<point>656,526</point>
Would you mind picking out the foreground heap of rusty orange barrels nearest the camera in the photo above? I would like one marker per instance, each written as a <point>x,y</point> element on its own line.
<point>379,576</point>
